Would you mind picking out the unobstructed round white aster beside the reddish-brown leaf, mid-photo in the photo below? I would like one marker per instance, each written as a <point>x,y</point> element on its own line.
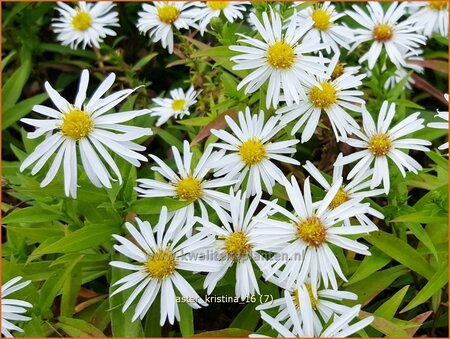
<point>251,152</point>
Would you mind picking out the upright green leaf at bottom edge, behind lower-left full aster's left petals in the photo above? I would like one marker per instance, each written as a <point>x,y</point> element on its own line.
<point>121,323</point>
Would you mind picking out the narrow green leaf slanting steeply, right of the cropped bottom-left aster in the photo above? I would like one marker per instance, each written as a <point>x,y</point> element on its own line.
<point>53,285</point>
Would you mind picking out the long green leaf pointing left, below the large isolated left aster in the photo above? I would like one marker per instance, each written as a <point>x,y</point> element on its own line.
<point>87,237</point>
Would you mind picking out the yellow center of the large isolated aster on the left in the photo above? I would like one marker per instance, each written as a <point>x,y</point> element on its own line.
<point>76,124</point>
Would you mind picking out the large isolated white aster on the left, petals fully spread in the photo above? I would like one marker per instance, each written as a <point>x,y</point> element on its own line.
<point>85,124</point>
